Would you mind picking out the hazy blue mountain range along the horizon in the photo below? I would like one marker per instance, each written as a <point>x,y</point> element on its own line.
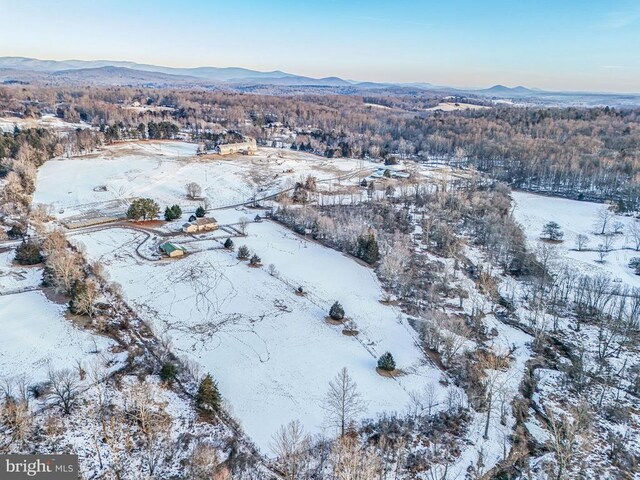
<point>106,72</point>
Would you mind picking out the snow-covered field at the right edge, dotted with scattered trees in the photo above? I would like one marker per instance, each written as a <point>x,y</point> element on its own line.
<point>575,218</point>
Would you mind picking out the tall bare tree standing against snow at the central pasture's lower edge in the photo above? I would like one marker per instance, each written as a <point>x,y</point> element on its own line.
<point>343,401</point>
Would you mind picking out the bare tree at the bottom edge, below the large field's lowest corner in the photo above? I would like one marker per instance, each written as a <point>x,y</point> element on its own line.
<point>291,445</point>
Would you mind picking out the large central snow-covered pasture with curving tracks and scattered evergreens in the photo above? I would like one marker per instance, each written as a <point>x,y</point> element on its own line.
<point>271,350</point>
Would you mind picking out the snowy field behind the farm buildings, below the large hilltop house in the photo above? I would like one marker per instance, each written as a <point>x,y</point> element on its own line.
<point>161,170</point>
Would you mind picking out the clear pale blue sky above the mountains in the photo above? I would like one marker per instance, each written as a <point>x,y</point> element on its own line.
<point>573,45</point>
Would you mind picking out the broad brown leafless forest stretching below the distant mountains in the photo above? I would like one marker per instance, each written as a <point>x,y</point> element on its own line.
<point>583,153</point>
